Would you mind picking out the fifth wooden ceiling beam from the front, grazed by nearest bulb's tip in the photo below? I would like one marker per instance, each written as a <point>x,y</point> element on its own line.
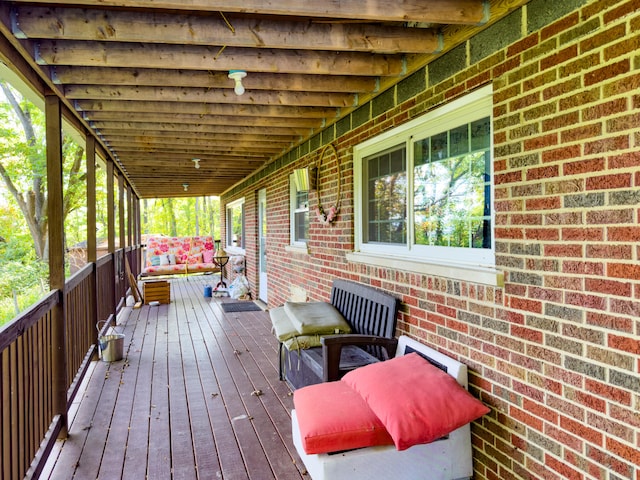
<point>215,96</point>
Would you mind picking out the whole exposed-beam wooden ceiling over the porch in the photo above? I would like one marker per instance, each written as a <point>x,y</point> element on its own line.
<point>150,77</point>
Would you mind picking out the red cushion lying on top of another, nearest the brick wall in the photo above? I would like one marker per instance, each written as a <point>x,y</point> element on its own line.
<point>416,402</point>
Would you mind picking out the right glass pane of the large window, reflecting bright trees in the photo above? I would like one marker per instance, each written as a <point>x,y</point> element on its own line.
<point>452,191</point>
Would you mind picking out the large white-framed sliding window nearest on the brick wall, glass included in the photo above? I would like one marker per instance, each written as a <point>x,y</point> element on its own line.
<point>423,191</point>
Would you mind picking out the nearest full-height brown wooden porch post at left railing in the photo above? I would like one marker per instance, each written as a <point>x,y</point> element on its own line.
<point>53,119</point>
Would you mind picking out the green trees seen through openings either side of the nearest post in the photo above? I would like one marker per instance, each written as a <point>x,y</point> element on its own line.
<point>24,230</point>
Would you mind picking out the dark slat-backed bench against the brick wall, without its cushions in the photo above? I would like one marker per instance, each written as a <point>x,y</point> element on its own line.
<point>372,315</point>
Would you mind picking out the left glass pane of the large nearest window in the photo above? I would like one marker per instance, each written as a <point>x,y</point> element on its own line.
<point>386,197</point>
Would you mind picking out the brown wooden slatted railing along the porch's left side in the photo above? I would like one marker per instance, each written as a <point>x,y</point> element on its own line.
<point>29,423</point>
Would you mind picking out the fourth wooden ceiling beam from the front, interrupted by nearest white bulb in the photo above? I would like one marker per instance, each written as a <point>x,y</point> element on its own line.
<point>63,74</point>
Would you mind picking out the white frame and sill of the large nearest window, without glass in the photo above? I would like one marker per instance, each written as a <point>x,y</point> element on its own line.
<point>461,263</point>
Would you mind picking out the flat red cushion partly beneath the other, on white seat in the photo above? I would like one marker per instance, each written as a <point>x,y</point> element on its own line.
<point>333,417</point>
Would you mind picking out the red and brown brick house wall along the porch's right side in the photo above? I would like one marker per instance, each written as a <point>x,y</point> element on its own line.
<point>556,352</point>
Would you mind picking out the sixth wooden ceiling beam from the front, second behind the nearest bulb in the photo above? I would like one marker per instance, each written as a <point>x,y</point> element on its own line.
<point>132,107</point>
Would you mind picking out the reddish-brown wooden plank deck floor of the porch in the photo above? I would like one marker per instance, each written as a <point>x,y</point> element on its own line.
<point>196,396</point>
